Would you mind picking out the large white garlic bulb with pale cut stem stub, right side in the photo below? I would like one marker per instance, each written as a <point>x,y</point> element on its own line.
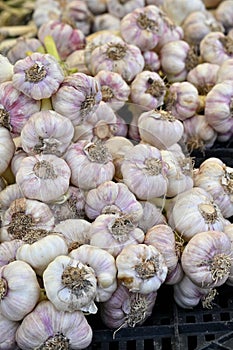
<point>194,211</point>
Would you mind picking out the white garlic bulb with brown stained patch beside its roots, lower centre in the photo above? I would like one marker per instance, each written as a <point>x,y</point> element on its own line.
<point>141,268</point>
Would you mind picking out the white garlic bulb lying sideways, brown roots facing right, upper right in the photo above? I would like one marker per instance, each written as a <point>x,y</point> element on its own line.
<point>177,58</point>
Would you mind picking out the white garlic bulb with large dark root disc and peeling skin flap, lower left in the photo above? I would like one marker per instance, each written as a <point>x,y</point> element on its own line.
<point>70,285</point>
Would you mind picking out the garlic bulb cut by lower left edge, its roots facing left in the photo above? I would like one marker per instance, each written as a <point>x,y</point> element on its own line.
<point>20,290</point>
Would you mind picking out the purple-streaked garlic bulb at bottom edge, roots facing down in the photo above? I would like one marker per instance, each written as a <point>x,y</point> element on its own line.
<point>45,324</point>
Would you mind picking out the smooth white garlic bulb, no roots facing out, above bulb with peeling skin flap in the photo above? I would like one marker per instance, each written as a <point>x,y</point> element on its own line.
<point>39,252</point>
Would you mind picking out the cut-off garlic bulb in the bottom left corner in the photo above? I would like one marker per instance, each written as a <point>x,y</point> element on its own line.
<point>8,331</point>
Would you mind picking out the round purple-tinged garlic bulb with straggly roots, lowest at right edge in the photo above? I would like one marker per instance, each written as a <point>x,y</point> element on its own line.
<point>206,259</point>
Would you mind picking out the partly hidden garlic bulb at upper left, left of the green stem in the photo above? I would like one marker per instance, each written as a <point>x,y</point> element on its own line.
<point>22,46</point>
